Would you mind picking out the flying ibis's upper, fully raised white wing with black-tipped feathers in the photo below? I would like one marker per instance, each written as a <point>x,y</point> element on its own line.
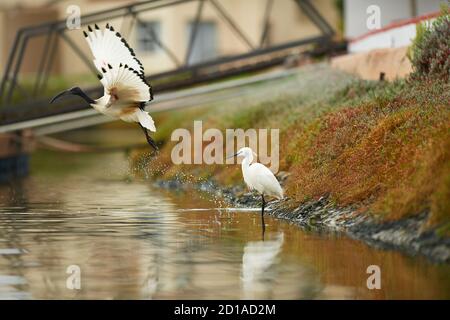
<point>109,47</point>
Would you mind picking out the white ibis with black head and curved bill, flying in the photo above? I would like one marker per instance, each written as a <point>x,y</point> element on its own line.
<point>126,92</point>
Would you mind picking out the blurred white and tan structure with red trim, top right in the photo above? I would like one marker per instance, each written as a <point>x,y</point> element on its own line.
<point>379,33</point>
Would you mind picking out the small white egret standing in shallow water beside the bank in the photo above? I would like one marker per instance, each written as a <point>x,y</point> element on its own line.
<point>258,177</point>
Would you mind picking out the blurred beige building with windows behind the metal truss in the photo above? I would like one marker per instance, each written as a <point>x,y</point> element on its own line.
<point>172,25</point>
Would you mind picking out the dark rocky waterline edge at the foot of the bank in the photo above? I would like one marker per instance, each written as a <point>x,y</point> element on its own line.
<point>407,235</point>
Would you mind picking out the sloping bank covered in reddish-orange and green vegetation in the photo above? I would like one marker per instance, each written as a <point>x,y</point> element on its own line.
<point>383,148</point>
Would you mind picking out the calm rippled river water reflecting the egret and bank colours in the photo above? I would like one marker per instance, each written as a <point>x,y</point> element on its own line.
<point>87,217</point>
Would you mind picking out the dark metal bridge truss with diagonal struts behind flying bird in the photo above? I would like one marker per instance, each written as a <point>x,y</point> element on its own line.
<point>34,106</point>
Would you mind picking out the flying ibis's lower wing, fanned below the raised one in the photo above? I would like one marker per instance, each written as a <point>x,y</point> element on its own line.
<point>125,85</point>
